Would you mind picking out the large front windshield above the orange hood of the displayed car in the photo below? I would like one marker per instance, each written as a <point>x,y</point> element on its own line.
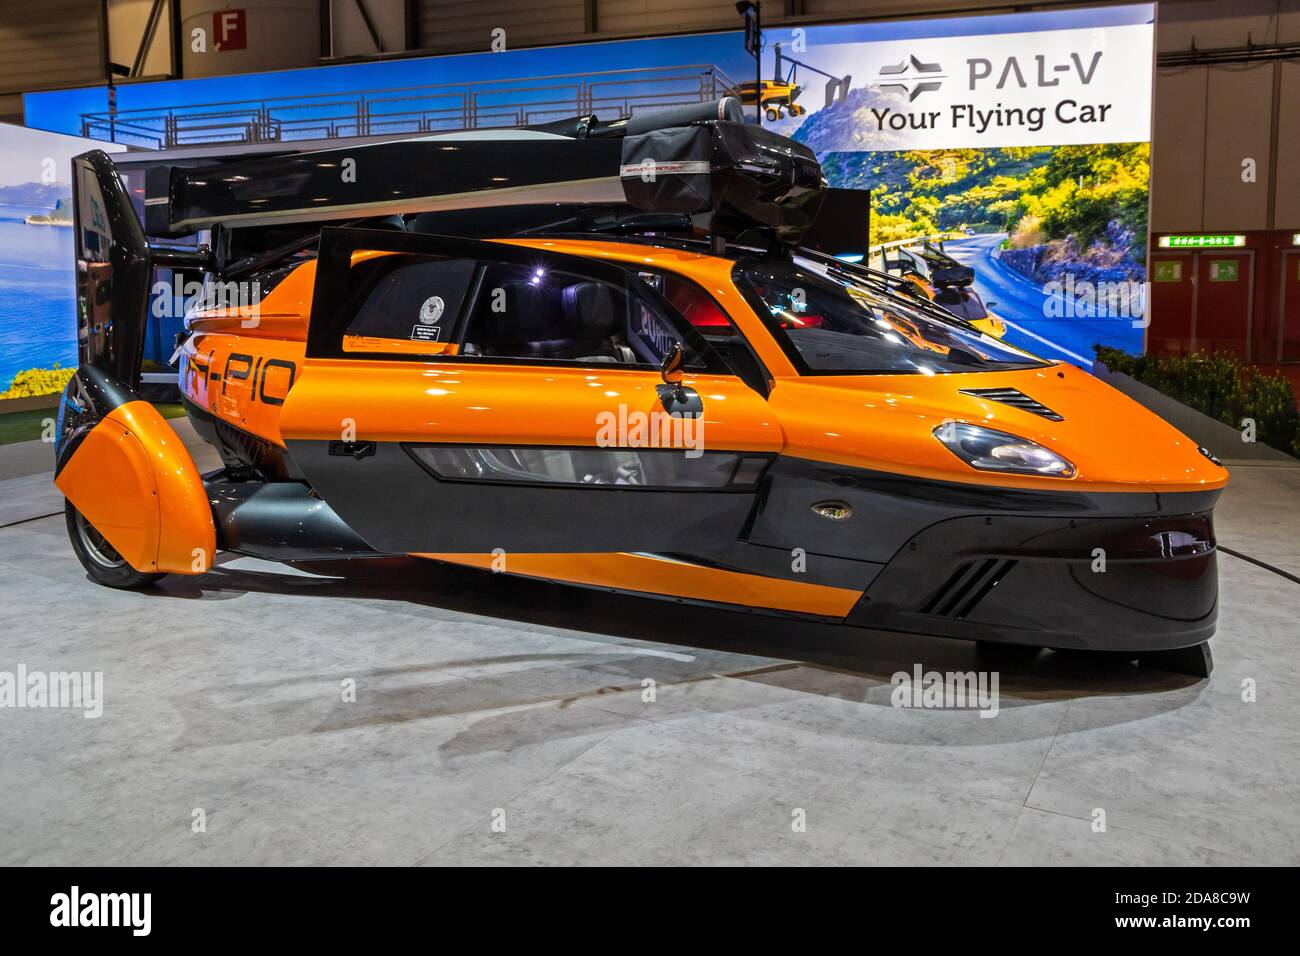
<point>831,323</point>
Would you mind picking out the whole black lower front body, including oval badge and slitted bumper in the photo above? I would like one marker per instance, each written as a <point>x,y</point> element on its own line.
<point>999,564</point>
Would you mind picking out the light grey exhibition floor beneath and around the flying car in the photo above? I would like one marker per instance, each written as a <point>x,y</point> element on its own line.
<point>478,704</point>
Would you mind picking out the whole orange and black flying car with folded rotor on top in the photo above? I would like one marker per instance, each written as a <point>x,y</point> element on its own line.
<point>626,377</point>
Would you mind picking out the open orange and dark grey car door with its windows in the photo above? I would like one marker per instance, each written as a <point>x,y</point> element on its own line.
<point>465,397</point>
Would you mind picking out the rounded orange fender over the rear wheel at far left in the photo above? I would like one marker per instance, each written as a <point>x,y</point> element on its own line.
<point>135,481</point>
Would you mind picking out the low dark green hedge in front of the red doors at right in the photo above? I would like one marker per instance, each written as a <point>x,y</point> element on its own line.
<point>1220,387</point>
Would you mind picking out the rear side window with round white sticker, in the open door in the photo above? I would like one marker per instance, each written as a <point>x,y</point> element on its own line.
<point>409,305</point>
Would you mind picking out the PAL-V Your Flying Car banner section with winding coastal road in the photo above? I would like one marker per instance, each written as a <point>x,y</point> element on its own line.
<point>1015,146</point>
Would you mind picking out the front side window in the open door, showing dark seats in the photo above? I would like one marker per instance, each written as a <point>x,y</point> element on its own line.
<point>534,313</point>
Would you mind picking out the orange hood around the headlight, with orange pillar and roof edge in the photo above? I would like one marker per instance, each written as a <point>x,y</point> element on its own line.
<point>886,422</point>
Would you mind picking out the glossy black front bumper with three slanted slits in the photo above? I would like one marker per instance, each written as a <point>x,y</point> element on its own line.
<point>1039,582</point>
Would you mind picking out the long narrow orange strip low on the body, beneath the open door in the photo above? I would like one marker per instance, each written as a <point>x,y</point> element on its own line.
<point>652,576</point>
